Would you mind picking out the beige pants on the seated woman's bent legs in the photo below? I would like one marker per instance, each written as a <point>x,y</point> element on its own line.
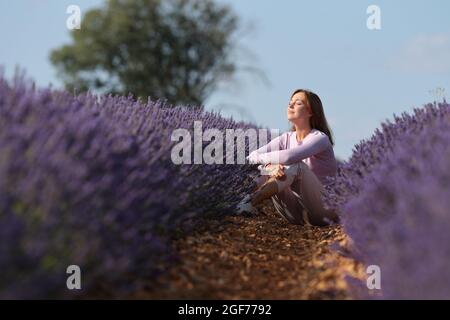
<point>299,197</point>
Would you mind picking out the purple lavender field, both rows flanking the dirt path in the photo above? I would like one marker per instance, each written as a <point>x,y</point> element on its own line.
<point>88,180</point>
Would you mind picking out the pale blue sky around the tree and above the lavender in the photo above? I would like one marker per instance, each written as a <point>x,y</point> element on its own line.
<point>362,76</point>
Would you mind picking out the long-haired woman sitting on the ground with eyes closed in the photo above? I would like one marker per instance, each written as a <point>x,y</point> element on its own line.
<point>300,161</point>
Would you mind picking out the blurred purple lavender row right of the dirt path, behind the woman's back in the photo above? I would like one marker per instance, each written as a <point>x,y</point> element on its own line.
<point>393,196</point>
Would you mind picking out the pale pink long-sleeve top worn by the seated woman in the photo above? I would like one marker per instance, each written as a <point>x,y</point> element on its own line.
<point>315,150</point>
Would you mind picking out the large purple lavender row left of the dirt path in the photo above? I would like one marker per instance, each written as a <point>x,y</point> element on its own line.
<point>88,180</point>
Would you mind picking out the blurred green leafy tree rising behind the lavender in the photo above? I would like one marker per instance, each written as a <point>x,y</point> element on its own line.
<point>166,49</point>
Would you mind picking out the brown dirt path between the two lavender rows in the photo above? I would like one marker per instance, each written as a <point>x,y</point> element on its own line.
<point>259,257</point>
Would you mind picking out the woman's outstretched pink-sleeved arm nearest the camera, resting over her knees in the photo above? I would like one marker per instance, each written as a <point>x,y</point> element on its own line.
<point>312,145</point>
